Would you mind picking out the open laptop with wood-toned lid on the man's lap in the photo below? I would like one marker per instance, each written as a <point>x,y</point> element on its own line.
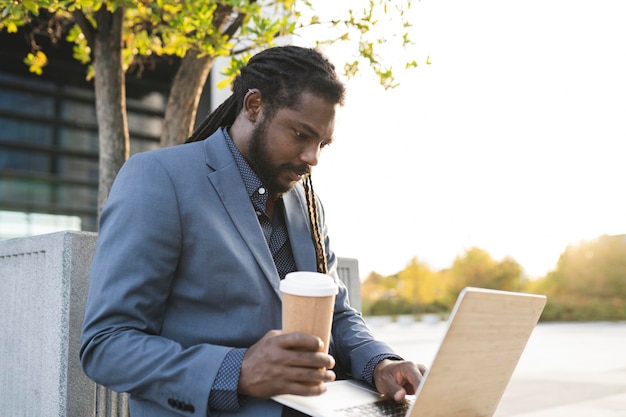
<point>486,335</point>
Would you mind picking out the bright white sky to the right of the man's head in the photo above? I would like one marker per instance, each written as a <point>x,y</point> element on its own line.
<point>512,140</point>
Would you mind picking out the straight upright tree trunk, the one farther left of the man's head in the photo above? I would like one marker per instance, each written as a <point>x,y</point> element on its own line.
<point>110,92</point>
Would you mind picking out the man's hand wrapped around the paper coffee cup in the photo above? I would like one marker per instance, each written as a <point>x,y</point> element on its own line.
<point>289,363</point>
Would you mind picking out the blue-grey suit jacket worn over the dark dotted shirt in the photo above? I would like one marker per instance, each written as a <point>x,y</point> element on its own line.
<point>182,274</point>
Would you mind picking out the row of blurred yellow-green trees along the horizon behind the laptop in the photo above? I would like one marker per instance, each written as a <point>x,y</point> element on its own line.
<point>588,283</point>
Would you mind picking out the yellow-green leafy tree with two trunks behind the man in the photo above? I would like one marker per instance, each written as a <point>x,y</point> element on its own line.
<point>112,36</point>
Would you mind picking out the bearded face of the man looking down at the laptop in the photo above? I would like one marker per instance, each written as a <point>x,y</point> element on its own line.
<point>284,148</point>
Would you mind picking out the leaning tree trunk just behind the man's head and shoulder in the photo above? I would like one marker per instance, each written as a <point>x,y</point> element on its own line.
<point>182,104</point>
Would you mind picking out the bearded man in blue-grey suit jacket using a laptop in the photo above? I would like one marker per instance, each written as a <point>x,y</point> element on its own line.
<point>183,303</point>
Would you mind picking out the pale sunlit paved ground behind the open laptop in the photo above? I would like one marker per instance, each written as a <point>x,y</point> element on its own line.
<point>567,369</point>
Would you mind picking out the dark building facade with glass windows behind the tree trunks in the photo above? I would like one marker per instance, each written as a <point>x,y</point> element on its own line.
<point>49,137</point>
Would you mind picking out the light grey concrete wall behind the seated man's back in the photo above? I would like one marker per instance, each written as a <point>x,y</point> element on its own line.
<point>44,281</point>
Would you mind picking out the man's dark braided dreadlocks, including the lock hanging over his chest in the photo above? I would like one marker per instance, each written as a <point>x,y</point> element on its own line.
<point>281,75</point>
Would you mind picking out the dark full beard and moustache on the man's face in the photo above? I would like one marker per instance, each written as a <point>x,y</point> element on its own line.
<point>260,159</point>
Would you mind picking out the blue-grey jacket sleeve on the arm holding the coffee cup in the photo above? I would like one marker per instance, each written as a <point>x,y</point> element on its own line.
<point>132,271</point>
